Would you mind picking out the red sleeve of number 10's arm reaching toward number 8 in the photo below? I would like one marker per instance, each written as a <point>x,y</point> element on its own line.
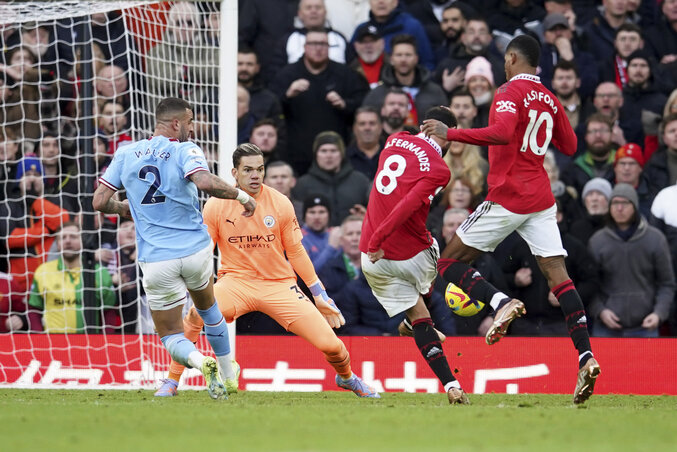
<point>506,116</point>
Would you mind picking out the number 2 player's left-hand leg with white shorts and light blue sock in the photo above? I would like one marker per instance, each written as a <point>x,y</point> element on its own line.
<point>166,295</point>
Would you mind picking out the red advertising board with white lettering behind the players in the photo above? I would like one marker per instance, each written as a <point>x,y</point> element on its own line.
<point>391,364</point>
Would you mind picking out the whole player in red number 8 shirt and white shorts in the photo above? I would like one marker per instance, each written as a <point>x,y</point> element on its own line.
<point>399,254</point>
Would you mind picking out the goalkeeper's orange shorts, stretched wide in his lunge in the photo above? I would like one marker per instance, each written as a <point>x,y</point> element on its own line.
<point>282,300</point>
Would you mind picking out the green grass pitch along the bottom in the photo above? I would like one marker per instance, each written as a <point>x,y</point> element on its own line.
<point>85,420</point>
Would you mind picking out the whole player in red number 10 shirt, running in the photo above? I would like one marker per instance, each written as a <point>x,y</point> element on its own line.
<point>524,119</point>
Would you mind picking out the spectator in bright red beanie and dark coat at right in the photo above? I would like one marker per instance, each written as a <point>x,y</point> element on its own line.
<point>628,164</point>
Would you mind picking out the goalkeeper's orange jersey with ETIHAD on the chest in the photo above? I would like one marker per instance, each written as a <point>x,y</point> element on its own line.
<point>253,247</point>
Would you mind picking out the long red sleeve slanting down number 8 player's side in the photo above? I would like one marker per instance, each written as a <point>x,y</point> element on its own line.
<point>422,192</point>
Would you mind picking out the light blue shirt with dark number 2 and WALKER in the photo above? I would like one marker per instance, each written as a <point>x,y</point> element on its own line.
<point>163,201</point>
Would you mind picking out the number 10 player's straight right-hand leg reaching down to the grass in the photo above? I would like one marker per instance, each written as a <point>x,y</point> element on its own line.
<point>542,235</point>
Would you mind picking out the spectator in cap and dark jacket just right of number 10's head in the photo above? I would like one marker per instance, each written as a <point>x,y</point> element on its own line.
<point>560,44</point>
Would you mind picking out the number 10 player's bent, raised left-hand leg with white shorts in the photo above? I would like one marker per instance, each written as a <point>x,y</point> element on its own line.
<point>480,232</point>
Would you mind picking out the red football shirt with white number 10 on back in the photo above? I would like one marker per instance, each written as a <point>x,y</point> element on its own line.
<point>524,120</point>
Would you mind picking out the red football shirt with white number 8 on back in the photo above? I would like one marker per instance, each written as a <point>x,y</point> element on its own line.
<point>410,172</point>
